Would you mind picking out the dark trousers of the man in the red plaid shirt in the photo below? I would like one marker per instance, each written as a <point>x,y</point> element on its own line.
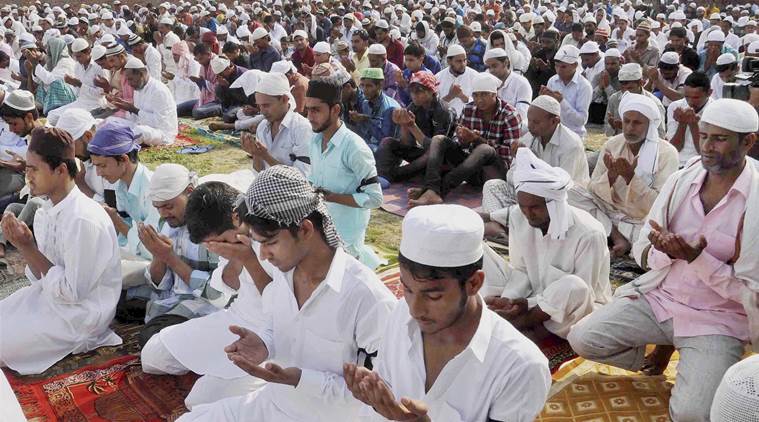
<point>475,167</point>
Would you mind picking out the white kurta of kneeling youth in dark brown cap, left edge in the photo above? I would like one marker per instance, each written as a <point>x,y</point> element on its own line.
<point>67,310</point>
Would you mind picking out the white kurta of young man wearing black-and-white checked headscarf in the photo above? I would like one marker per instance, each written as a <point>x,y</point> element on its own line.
<point>346,313</point>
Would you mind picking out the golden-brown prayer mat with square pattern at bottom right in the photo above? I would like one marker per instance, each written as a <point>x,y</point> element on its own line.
<point>596,397</point>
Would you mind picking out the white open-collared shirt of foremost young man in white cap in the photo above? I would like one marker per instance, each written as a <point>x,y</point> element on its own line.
<point>500,375</point>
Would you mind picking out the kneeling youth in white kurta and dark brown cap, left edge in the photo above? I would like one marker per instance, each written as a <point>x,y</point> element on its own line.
<point>73,296</point>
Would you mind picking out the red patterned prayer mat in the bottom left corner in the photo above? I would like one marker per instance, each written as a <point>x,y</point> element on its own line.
<point>117,390</point>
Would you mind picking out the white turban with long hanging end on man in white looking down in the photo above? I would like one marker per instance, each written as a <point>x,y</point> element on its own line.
<point>535,176</point>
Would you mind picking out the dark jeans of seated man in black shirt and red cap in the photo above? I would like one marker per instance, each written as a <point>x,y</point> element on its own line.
<point>392,151</point>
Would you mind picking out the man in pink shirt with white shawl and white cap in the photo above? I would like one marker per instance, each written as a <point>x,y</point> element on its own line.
<point>702,259</point>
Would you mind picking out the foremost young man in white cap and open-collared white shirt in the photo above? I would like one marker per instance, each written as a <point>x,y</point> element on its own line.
<point>444,355</point>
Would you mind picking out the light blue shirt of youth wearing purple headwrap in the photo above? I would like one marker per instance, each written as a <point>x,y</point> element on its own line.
<point>134,200</point>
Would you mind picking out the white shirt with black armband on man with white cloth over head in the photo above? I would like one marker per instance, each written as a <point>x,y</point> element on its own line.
<point>292,141</point>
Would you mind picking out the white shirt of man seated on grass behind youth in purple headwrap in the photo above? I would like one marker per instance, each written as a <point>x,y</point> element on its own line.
<point>157,108</point>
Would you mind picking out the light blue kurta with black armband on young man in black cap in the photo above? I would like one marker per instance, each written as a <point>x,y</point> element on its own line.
<point>341,168</point>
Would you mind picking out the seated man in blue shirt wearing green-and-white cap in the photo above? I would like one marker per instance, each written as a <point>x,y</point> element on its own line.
<point>375,121</point>
